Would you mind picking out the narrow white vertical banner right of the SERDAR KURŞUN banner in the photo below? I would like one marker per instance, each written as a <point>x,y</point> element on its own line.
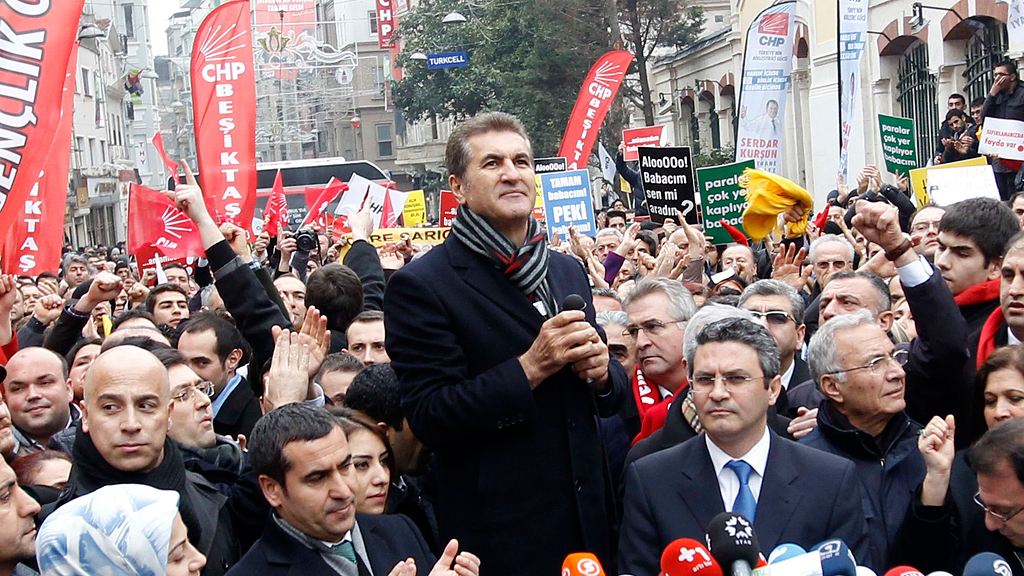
<point>852,39</point>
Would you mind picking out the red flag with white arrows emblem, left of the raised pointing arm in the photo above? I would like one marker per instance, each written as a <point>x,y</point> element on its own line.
<point>156,227</point>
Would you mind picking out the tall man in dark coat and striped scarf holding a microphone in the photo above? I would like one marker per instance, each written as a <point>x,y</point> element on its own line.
<point>504,387</point>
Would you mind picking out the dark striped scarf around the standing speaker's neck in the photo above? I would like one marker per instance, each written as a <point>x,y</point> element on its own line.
<point>526,267</point>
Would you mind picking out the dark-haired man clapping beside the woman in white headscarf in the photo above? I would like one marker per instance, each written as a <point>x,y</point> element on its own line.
<point>305,466</point>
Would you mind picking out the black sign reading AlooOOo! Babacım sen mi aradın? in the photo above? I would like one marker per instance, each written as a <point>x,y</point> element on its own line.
<point>668,183</point>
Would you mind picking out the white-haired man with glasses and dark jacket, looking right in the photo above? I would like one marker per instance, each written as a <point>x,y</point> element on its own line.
<point>864,420</point>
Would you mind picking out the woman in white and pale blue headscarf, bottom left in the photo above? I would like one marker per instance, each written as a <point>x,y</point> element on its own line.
<point>123,530</point>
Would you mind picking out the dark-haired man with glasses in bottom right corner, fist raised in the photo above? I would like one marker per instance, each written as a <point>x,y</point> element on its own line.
<point>967,505</point>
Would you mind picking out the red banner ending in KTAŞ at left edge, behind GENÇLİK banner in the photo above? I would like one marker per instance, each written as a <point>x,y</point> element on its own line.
<point>33,244</point>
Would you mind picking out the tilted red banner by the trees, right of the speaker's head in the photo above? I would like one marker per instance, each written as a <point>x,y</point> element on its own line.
<point>592,106</point>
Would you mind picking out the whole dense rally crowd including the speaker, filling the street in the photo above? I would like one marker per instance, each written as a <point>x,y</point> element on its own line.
<point>504,400</point>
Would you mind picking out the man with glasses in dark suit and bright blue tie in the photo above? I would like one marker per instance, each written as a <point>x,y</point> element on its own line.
<point>790,492</point>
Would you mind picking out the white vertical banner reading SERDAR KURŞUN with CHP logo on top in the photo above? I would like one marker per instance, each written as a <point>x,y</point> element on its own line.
<point>767,63</point>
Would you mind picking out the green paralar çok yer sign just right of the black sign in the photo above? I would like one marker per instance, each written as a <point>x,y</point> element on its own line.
<point>722,199</point>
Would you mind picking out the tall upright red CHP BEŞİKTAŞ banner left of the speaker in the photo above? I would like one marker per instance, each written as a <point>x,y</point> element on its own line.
<point>225,105</point>
